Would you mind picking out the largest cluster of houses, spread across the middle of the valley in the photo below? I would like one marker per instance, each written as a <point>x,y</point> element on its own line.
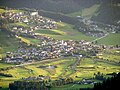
<point>50,49</point>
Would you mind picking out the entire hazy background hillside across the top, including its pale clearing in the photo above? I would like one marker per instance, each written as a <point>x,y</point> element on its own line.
<point>106,11</point>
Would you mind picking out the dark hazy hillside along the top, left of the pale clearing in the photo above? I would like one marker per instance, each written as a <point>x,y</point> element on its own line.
<point>63,6</point>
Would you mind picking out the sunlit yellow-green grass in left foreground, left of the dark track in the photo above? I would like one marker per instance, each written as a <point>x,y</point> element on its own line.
<point>20,72</point>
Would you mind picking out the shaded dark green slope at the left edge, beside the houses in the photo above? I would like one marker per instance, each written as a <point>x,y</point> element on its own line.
<point>7,42</point>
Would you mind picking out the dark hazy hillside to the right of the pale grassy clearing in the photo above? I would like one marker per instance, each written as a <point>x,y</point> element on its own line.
<point>108,13</point>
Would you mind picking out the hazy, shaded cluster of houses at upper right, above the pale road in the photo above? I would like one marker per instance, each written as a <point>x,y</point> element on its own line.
<point>96,29</point>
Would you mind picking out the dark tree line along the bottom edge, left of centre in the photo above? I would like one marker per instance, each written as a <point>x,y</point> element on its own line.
<point>39,85</point>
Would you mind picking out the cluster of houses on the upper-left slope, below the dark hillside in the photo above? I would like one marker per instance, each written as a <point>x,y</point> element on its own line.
<point>26,22</point>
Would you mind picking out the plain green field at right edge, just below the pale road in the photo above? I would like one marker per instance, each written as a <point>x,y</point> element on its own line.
<point>111,39</point>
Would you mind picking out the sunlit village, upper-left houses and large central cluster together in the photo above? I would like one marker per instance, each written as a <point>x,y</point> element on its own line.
<point>48,48</point>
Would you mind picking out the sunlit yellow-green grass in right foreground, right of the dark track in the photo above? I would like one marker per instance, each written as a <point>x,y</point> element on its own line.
<point>88,67</point>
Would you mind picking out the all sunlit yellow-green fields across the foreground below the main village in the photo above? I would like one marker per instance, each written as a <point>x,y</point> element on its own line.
<point>85,69</point>
